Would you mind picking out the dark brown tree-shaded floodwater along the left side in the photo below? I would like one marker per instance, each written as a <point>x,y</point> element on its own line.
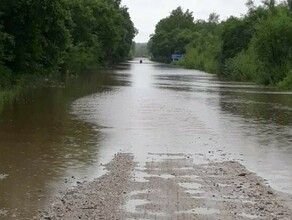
<point>41,144</point>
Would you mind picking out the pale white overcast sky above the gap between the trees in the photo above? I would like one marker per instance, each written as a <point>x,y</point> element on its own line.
<point>146,13</point>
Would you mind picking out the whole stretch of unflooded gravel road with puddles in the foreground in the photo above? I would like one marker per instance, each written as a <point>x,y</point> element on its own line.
<point>171,187</point>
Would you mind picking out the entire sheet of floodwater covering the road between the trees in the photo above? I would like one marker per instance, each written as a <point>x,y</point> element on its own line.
<point>52,138</point>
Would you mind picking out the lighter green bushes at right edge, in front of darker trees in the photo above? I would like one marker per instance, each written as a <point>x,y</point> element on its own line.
<point>268,58</point>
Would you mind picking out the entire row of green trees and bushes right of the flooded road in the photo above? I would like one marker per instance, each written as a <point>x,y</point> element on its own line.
<point>254,47</point>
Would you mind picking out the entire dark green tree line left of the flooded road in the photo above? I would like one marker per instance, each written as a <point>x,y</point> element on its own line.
<point>60,36</point>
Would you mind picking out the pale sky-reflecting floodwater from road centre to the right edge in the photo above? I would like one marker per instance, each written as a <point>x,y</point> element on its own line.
<point>164,109</point>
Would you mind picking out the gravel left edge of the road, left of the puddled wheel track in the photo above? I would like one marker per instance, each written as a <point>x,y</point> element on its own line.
<point>100,199</point>
